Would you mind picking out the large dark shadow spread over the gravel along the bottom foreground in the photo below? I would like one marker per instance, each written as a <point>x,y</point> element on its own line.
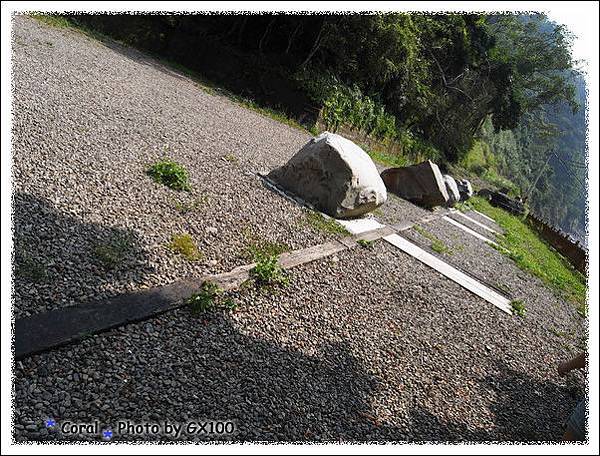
<point>186,369</point>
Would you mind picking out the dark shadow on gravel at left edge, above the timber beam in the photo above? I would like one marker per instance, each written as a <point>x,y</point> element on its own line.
<point>59,261</point>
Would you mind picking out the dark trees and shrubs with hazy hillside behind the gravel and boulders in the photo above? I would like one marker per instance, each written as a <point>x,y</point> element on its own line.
<point>492,95</point>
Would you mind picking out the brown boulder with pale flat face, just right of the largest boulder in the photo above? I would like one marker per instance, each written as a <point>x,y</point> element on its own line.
<point>422,184</point>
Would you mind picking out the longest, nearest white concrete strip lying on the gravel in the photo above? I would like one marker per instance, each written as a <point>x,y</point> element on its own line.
<point>452,273</point>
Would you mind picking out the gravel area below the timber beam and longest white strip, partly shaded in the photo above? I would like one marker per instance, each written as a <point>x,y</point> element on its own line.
<point>367,345</point>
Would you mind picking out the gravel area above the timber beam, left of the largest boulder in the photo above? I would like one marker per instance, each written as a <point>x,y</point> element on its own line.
<point>89,119</point>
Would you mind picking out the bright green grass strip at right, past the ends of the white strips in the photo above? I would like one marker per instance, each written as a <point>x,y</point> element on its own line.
<point>522,244</point>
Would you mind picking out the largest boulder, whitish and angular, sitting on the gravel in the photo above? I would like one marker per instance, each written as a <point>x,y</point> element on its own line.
<point>334,175</point>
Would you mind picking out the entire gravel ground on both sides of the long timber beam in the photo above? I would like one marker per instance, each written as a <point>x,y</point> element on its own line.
<point>369,344</point>
